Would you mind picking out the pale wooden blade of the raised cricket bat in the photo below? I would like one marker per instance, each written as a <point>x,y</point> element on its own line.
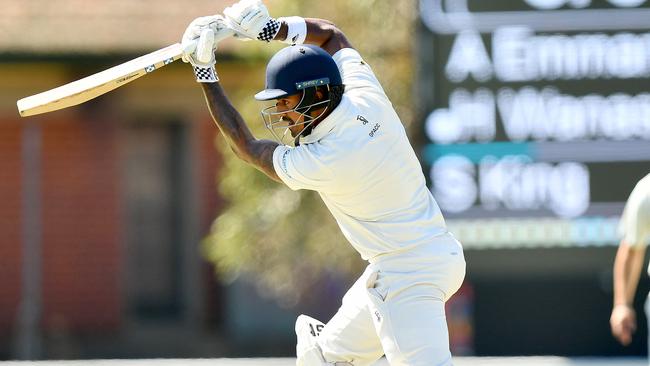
<point>97,84</point>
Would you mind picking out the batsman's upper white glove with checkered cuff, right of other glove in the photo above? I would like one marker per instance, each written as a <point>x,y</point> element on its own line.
<point>250,19</point>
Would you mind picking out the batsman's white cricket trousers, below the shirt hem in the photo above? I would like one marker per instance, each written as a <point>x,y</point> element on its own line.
<point>397,308</point>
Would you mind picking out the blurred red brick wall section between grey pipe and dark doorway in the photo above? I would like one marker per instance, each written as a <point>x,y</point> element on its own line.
<point>81,228</point>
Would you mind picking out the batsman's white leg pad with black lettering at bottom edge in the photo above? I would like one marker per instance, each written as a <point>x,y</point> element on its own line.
<point>308,351</point>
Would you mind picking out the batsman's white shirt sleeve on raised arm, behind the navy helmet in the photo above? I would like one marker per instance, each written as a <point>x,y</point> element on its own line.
<point>355,72</point>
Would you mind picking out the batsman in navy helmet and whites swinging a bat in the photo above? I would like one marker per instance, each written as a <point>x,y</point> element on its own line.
<point>339,135</point>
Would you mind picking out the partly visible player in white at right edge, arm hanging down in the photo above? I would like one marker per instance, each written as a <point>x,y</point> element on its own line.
<point>635,228</point>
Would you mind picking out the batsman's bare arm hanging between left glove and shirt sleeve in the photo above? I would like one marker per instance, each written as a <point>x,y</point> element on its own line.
<point>258,153</point>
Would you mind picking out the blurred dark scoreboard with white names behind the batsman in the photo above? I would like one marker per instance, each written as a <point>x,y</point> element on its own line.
<point>536,116</point>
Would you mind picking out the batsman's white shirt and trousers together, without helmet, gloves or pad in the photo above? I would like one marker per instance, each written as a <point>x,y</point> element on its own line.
<point>361,163</point>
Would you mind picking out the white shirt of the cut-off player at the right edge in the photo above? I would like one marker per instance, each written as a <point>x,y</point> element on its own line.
<point>635,221</point>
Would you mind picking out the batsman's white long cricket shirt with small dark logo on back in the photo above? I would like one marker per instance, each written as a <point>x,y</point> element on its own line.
<point>361,163</point>
